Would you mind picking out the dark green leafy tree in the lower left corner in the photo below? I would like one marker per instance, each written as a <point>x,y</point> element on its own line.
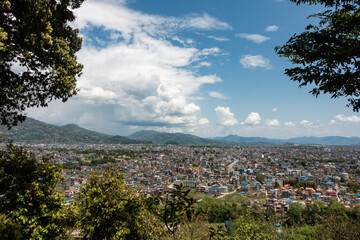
<point>30,205</point>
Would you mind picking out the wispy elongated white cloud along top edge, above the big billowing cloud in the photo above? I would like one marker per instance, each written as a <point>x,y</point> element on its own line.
<point>117,17</point>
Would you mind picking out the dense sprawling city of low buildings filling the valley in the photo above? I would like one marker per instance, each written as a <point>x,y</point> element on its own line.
<point>268,176</point>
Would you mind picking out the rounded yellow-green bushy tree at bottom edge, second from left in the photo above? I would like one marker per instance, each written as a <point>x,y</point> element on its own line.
<point>109,209</point>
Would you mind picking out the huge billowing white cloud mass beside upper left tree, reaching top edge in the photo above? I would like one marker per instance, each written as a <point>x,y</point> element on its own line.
<point>135,72</point>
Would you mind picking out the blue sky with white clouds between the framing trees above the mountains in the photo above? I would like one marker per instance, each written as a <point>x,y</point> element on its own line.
<point>204,67</point>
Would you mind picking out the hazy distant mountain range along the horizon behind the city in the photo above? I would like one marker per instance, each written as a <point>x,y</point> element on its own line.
<point>34,131</point>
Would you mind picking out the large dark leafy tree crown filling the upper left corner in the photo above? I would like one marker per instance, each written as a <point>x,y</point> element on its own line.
<point>37,55</point>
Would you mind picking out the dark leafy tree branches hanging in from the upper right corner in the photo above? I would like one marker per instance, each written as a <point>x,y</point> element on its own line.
<point>328,55</point>
